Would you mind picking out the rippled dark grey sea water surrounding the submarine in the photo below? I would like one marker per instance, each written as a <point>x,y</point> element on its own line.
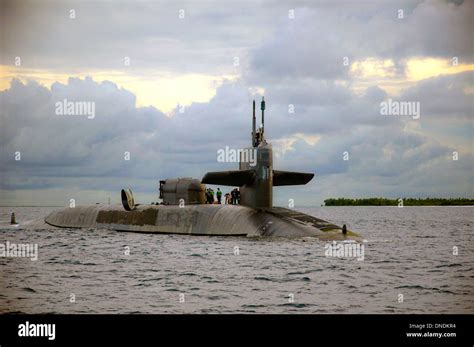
<point>409,252</point>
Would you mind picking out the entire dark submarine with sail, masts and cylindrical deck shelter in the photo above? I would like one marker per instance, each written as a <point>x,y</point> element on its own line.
<point>183,208</point>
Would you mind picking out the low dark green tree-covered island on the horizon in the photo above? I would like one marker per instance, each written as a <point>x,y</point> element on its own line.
<point>395,202</point>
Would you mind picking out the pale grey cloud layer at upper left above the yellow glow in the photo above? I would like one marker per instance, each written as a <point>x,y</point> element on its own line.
<point>150,33</point>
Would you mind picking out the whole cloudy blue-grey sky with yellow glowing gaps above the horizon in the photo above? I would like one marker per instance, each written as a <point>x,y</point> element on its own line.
<point>172,83</point>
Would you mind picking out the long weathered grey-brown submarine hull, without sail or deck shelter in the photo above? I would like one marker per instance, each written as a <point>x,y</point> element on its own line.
<point>223,220</point>
